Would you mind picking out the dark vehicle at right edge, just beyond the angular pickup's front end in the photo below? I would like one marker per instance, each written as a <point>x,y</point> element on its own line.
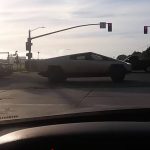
<point>139,64</point>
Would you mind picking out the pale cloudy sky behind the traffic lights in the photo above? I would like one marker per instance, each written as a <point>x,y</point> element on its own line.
<point>127,16</point>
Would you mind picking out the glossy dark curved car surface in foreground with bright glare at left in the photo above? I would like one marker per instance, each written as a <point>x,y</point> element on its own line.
<point>80,135</point>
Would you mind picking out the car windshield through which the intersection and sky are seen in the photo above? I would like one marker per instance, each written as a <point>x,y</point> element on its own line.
<point>64,56</point>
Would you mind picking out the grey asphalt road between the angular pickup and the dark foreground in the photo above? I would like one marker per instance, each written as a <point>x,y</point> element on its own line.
<point>32,95</point>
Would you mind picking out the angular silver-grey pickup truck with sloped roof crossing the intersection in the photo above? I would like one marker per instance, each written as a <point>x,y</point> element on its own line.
<point>83,65</point>
